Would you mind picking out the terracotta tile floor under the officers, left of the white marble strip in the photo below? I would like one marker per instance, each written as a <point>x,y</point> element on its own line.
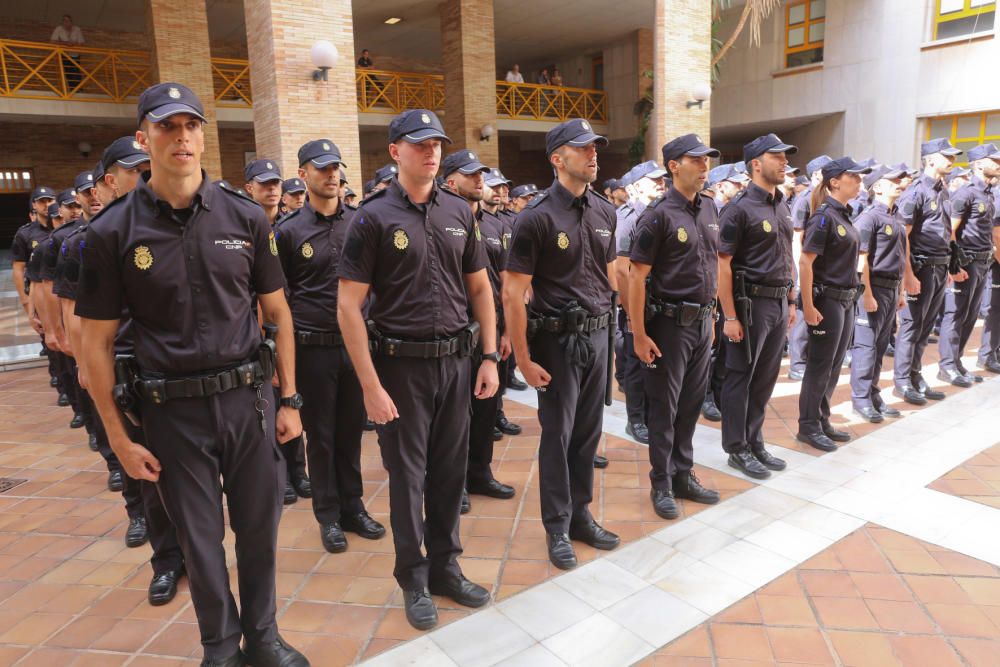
<point>72,593</point>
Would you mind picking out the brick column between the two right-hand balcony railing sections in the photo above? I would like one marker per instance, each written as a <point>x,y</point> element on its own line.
<point>469,64</point>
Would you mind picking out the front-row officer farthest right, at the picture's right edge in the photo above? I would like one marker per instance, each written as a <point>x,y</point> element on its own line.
<point>972,223</point>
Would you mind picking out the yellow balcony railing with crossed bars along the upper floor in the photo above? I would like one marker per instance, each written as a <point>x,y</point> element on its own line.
<point>34,70</point>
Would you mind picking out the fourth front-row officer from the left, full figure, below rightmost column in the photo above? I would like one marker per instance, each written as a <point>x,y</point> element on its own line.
<point>677,245</point>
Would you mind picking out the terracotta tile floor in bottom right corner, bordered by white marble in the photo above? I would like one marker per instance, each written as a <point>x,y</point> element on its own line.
<point>876,597</point>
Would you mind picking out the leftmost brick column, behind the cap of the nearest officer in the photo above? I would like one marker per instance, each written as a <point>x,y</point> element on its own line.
<point>181,53</point>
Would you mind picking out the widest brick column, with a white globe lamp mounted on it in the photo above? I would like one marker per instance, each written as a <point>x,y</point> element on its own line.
<point>289,108</point>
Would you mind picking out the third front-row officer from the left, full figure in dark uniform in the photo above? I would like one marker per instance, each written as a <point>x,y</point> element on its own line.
<point>563,249</point>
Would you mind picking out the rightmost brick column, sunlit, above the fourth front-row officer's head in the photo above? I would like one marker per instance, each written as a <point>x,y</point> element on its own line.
<point>682,54</point>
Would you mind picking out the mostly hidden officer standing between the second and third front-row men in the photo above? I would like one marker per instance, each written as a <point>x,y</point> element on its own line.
<point>465,175</point>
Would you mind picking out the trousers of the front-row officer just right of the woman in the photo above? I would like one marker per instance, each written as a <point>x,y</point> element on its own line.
<point>872,332</point>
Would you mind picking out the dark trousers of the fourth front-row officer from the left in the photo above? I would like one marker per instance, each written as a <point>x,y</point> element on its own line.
<point>675,390</point>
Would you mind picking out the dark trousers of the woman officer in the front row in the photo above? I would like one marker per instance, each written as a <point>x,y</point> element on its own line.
<point>828,343</point>
